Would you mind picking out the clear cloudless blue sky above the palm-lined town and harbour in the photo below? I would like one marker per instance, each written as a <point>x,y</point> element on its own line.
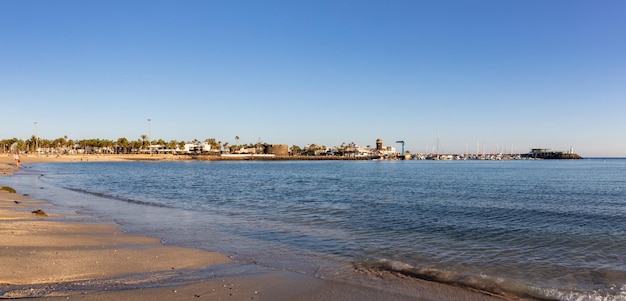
<point>492,73</point>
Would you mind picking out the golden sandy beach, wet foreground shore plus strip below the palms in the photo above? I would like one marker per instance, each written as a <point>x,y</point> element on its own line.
<point>56,258</point>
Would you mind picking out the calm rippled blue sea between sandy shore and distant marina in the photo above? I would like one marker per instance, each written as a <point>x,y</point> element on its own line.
<point>545,229</point>
